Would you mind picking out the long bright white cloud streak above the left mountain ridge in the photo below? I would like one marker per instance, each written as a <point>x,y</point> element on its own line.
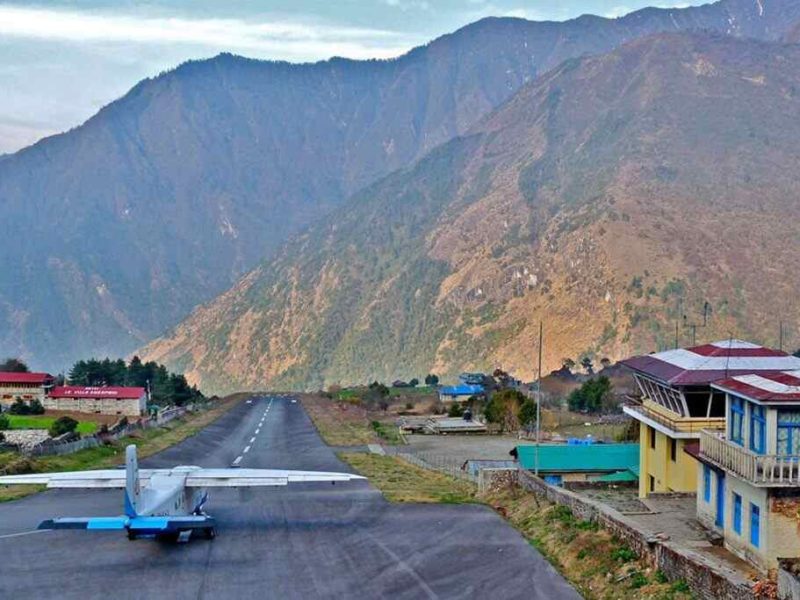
<point>275,38</point>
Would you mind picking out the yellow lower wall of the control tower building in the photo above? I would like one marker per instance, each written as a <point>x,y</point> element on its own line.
<point>679,475</point>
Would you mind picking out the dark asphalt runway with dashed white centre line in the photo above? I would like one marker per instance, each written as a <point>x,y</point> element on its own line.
<point>301,541</point>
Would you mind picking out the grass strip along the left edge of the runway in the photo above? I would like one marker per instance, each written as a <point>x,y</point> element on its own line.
<point>148,441</point>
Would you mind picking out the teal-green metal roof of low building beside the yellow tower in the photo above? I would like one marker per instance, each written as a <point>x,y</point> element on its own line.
<point>558,458</point>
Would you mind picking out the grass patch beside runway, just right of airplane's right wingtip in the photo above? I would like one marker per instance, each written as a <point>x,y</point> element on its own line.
<point>401,481</point>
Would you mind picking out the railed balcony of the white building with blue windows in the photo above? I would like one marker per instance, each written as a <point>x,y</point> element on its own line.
<point>763,470</point>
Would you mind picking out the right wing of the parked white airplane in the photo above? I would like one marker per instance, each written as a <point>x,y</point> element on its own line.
<point>260,477</point>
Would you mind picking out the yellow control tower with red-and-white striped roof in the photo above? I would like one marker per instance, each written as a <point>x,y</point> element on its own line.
<point>678,402</point>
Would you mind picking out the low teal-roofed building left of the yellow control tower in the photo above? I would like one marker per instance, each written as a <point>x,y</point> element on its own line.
<point>560,463</point>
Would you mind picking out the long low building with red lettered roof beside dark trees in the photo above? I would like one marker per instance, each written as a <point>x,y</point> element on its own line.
<point>111,400</point>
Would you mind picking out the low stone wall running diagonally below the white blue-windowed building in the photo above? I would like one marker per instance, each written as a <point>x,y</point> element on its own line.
<point>707,580</point>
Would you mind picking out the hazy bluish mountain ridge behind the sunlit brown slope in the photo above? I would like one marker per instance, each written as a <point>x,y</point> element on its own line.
<point>118,229</point>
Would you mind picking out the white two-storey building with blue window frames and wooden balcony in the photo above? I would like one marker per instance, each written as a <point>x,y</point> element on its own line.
<point>749,484</point>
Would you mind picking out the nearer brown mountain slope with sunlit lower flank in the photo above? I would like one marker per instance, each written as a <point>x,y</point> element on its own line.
<point>608,198</point>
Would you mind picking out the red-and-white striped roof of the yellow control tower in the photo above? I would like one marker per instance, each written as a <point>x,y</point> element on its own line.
<point>701,365</point>
